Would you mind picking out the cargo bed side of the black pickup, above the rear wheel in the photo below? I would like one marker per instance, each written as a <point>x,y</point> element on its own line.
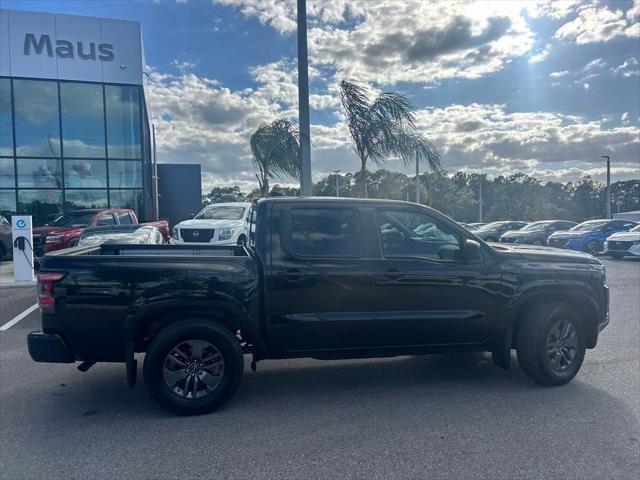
<point>111,293</point>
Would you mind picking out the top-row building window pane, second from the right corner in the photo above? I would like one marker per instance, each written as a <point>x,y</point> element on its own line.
<point>82,120</point>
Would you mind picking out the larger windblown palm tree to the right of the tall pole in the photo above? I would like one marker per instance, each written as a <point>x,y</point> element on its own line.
<point>384,127</point>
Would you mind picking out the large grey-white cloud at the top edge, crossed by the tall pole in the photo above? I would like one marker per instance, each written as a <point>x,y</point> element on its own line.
<point>387,41</point>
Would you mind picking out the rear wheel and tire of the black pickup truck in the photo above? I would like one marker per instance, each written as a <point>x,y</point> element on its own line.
<point>221,364</point>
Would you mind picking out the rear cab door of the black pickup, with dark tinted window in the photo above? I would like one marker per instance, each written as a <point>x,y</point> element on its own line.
<point>319,281</point>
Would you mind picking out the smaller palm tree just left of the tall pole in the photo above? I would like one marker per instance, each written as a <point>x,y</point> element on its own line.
<point>276,152</point>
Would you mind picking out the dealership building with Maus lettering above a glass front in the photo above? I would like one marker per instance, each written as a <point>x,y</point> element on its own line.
<point>74,128</point>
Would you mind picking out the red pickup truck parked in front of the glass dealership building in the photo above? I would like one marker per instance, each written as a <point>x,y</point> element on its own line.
<point>64,231</point>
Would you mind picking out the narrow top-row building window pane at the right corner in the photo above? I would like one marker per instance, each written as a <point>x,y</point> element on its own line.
<point>123,121</point>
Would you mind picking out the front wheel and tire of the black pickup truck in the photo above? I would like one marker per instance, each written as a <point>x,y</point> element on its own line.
<point>536,338</point>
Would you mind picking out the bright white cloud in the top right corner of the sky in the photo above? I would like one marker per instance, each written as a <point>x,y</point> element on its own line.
<point>599,24</point>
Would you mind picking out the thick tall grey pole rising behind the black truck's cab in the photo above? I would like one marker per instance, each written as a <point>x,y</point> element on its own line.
<point>303,101</point>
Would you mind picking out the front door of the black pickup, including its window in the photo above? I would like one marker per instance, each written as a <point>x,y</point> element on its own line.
<point>426,292</point>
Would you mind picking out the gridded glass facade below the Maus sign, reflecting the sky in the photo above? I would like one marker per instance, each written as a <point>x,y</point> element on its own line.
<point>71,145</point>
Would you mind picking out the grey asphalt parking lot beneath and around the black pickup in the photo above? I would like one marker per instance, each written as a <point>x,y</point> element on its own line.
<point>404,417</point>
